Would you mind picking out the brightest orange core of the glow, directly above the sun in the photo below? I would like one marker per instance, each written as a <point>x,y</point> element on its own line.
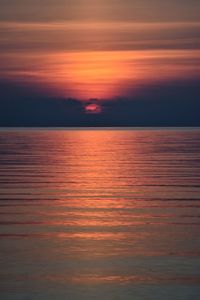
<point>94,73</point>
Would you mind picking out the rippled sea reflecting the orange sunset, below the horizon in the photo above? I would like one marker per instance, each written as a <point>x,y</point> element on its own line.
<point>101,214</point>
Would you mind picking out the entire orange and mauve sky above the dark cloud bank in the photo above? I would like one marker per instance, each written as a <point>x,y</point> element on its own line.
<point>98,49</point>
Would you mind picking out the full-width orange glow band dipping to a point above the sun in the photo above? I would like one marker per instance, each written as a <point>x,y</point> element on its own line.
<point>99,74</point>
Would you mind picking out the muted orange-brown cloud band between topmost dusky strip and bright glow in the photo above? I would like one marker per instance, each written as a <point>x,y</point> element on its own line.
<point>95,36</point>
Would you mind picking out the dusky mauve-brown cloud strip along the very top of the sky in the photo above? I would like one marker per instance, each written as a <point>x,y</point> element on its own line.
<point>102,10</point>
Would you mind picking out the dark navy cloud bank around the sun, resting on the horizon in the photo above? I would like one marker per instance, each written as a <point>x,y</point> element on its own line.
<point>168,104</point>
